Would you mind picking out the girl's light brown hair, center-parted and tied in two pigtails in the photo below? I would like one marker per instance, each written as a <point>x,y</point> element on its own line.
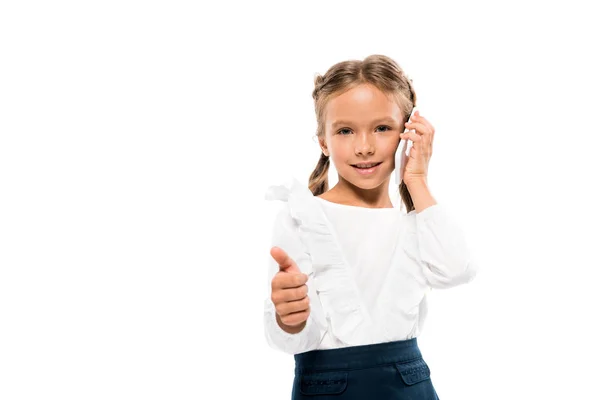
<point>377,70</point>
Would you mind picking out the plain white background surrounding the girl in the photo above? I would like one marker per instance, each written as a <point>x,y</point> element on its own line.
<point>138,140</point>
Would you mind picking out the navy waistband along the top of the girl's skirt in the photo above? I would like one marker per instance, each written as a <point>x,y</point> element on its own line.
<point>358,357</point>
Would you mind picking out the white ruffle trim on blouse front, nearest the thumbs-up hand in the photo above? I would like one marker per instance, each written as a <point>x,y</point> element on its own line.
<point>342,308</point>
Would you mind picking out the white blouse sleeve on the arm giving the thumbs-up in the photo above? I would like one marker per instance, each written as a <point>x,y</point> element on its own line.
<point>285,236</point>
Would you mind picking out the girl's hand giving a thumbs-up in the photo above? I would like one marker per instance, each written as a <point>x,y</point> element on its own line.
<point>289,292</point>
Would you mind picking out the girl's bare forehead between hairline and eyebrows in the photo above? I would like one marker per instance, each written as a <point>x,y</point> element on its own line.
<point>361,103</point>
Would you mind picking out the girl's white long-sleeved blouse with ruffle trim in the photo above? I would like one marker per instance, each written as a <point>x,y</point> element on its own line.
<point>369,269</point>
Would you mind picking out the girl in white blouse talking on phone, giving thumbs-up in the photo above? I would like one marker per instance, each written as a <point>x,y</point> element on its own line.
<point>349,272</point>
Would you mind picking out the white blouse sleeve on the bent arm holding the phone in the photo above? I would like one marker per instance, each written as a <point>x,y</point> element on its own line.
<point>443,249</point>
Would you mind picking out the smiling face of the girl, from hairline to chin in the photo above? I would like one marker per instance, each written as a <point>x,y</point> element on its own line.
<point>368,132</point>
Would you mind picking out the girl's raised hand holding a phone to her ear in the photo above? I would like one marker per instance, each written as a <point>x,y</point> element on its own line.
<point>420,153</point>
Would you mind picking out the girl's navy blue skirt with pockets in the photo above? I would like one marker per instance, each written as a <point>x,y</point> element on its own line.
<point>382,371</point>
